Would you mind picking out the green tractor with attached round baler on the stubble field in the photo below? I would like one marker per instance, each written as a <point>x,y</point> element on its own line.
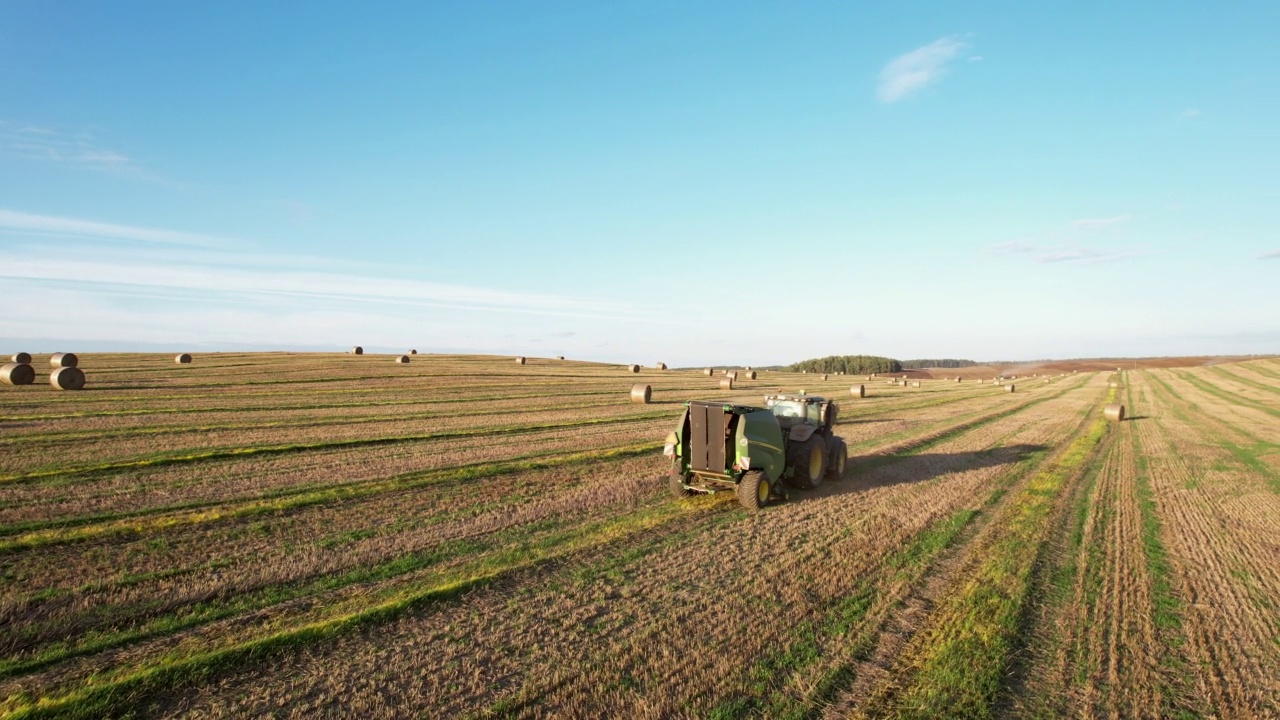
<point>756,450</point>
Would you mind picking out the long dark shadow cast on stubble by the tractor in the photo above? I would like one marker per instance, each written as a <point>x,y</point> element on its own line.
<point>872,472</point>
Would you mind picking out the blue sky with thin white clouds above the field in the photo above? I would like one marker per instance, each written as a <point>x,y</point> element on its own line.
<point>643,181</point>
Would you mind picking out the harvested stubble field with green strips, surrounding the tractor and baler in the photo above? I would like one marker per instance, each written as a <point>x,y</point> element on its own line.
<point>301,536</point>
